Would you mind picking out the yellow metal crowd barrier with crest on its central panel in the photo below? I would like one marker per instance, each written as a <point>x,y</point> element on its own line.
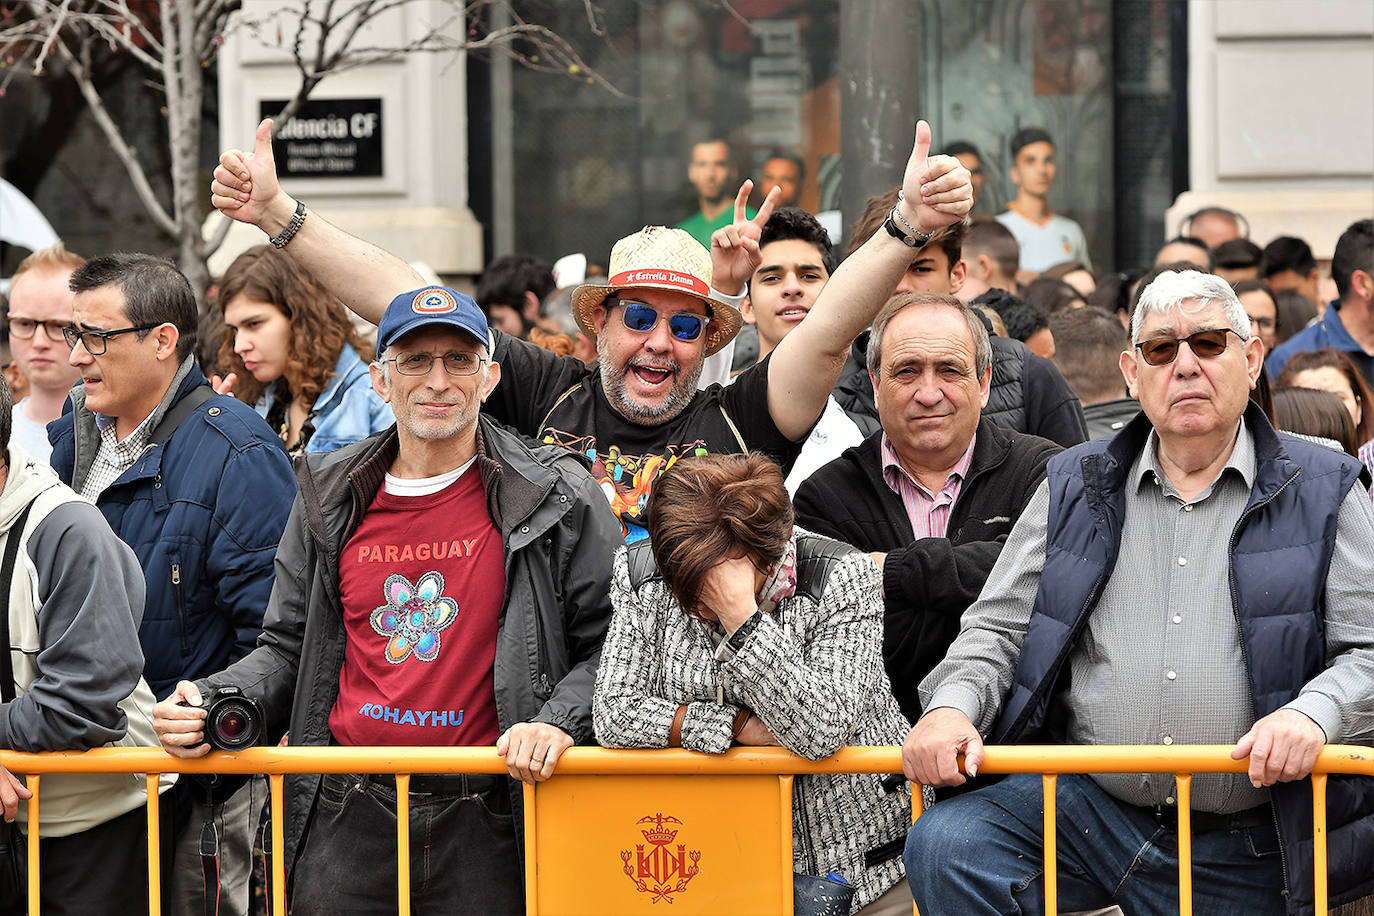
<point>712,841</point>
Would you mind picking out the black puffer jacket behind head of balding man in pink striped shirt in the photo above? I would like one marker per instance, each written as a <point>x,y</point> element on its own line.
<point>1028,393</point>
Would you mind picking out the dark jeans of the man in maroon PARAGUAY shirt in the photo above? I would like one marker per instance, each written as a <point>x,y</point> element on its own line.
<point>465,858</point>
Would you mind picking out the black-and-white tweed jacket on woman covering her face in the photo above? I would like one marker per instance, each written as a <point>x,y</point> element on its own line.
<point>811,671</point>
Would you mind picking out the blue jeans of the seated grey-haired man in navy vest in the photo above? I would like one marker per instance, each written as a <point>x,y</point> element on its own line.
<point>984,854</point>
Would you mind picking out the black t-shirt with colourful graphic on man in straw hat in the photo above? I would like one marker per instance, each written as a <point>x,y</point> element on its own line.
<point>561,402</point>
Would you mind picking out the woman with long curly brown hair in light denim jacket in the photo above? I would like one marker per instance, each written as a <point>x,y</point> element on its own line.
<point>296,355</point>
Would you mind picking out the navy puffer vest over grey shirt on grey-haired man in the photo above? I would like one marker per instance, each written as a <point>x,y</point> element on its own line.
<point>1281,550</point>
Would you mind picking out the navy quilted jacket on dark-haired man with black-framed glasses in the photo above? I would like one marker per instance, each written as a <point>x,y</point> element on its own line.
<point>204,513</point>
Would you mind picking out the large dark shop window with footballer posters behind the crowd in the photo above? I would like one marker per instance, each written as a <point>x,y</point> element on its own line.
<point>590,167</point>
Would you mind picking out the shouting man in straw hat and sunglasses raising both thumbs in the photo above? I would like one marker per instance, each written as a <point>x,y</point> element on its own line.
<point>668,306</point>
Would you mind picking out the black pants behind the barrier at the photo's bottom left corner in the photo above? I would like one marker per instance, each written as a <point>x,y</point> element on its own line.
<point>104,870</point>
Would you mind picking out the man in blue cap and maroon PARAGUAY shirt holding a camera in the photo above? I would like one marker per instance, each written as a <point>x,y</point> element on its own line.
<point>440,583</point>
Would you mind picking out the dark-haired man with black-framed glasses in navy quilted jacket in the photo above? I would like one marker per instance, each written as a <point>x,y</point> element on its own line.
<point>199,485</point>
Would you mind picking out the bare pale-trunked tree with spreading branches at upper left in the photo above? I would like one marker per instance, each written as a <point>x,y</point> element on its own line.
<point>175,41</point>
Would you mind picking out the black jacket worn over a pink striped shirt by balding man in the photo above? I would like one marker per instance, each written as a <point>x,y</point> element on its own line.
<point>927,584</point>
